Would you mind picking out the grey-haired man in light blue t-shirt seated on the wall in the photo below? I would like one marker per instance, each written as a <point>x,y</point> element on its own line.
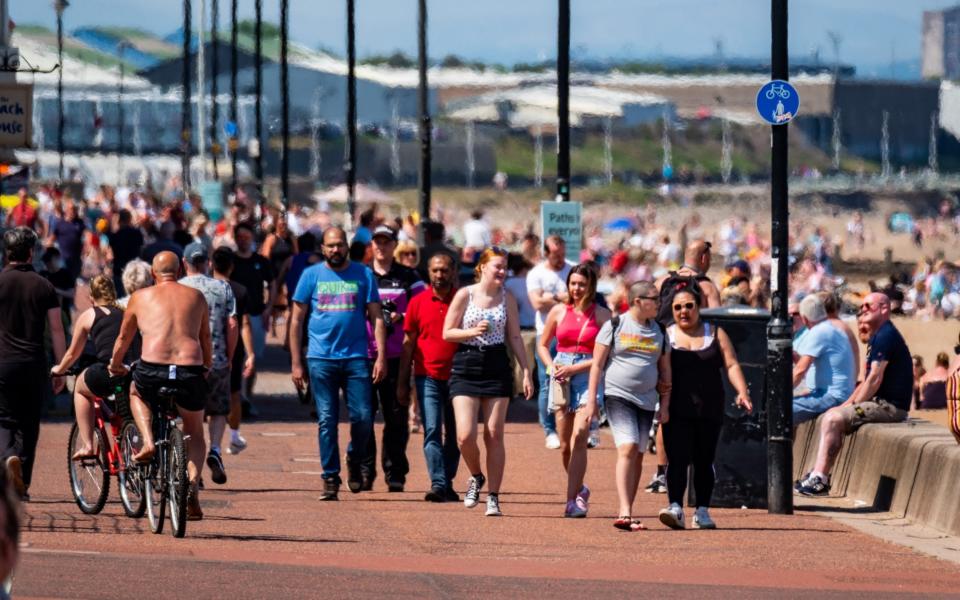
<point>825,368</point>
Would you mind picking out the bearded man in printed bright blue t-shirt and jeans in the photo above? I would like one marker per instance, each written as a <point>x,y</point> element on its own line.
<point>336,298</point>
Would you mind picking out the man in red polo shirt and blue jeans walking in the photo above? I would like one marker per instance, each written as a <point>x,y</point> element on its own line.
<point>432,358</point>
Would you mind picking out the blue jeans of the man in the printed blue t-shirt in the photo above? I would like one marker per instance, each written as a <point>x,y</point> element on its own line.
<point>327,378</point>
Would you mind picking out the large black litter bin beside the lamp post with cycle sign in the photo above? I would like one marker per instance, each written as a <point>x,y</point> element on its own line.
<point>741,461</point>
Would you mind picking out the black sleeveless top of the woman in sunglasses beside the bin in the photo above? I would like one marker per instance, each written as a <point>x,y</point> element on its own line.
<point>698,391</point>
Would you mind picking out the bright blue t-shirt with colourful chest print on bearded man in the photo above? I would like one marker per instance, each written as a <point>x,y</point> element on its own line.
<point>337,308</point>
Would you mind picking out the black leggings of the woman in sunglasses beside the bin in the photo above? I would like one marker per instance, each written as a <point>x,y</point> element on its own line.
<point>690,441</point>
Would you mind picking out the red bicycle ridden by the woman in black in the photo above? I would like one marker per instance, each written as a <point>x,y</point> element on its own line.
<point>113,452</point>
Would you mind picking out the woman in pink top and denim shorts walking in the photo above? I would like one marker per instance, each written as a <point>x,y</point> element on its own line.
<point>575,324</point>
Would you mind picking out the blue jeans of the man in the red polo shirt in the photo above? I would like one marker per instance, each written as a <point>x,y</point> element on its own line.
<point>439,431</point>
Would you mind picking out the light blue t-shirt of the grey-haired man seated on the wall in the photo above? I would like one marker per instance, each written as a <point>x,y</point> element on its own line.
<point>832,370</point>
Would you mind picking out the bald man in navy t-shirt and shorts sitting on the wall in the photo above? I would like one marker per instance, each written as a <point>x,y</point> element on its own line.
<point>883,396</point>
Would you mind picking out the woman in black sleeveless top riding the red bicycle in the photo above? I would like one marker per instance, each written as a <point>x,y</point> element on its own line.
<point>101,323</point>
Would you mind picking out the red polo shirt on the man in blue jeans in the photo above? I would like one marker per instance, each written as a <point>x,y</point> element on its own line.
<point>432,355</point>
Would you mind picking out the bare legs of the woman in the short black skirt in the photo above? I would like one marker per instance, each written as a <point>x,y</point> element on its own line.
<point>494,414</point>
